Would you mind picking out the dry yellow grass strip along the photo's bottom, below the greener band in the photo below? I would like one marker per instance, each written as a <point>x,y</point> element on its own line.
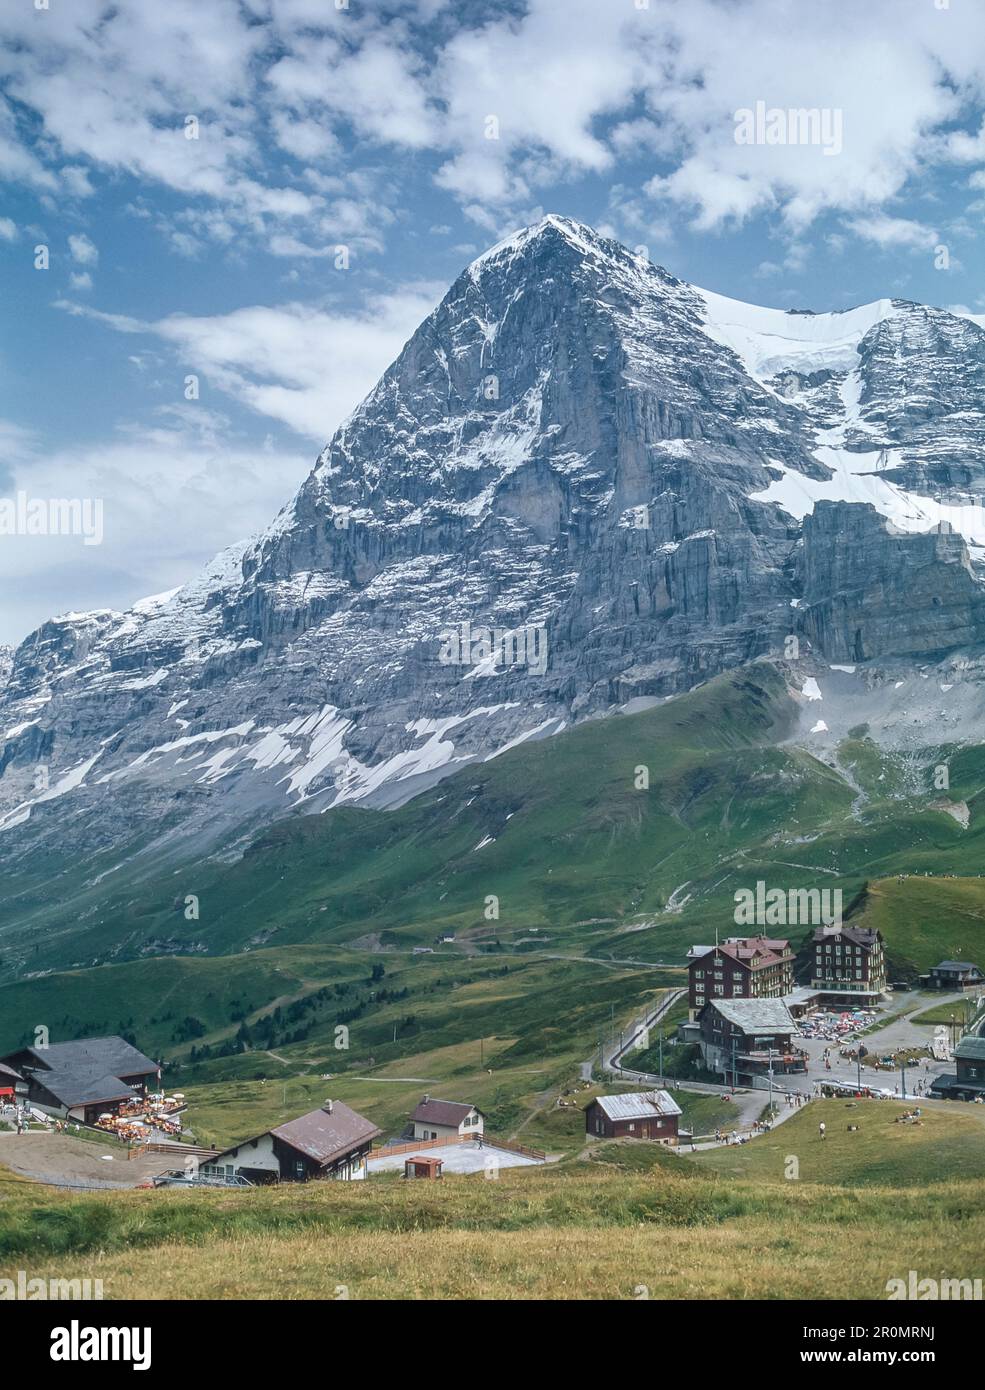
<point>745,1259</point>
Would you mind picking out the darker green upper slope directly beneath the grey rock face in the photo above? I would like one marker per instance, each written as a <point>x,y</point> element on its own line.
<point>568,836</point>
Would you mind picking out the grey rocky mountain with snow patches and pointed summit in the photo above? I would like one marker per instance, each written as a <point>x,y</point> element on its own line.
<point>583,483</point>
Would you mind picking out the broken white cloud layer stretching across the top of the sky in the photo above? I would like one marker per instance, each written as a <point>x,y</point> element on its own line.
<point>568,90</point>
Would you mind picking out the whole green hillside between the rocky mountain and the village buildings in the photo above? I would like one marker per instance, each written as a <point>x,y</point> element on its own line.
<point>561,839</point>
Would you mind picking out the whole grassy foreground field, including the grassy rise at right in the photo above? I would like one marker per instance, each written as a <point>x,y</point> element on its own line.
<point>623,1221</point>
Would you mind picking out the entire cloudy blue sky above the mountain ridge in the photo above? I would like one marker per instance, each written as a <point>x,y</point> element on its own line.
<point>412,134</point>
